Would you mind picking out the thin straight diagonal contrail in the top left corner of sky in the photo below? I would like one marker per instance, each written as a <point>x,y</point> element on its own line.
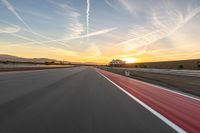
<point>12,9</point>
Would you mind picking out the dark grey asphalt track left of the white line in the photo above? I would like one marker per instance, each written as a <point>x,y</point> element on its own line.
<point>70,100</point>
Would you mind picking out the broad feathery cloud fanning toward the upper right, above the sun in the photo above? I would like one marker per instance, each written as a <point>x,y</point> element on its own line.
<point>161,24</point>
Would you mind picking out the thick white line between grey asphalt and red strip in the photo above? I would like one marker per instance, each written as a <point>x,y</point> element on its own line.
<point>163,118</point>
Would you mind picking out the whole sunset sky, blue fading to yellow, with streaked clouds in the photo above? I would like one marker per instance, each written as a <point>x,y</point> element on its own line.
<point>101,30</point>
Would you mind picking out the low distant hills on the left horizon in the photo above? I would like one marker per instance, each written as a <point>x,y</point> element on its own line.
<point>4,57</point>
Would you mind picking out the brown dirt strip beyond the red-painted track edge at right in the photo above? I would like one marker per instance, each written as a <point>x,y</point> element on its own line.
<point>186,84</point>
